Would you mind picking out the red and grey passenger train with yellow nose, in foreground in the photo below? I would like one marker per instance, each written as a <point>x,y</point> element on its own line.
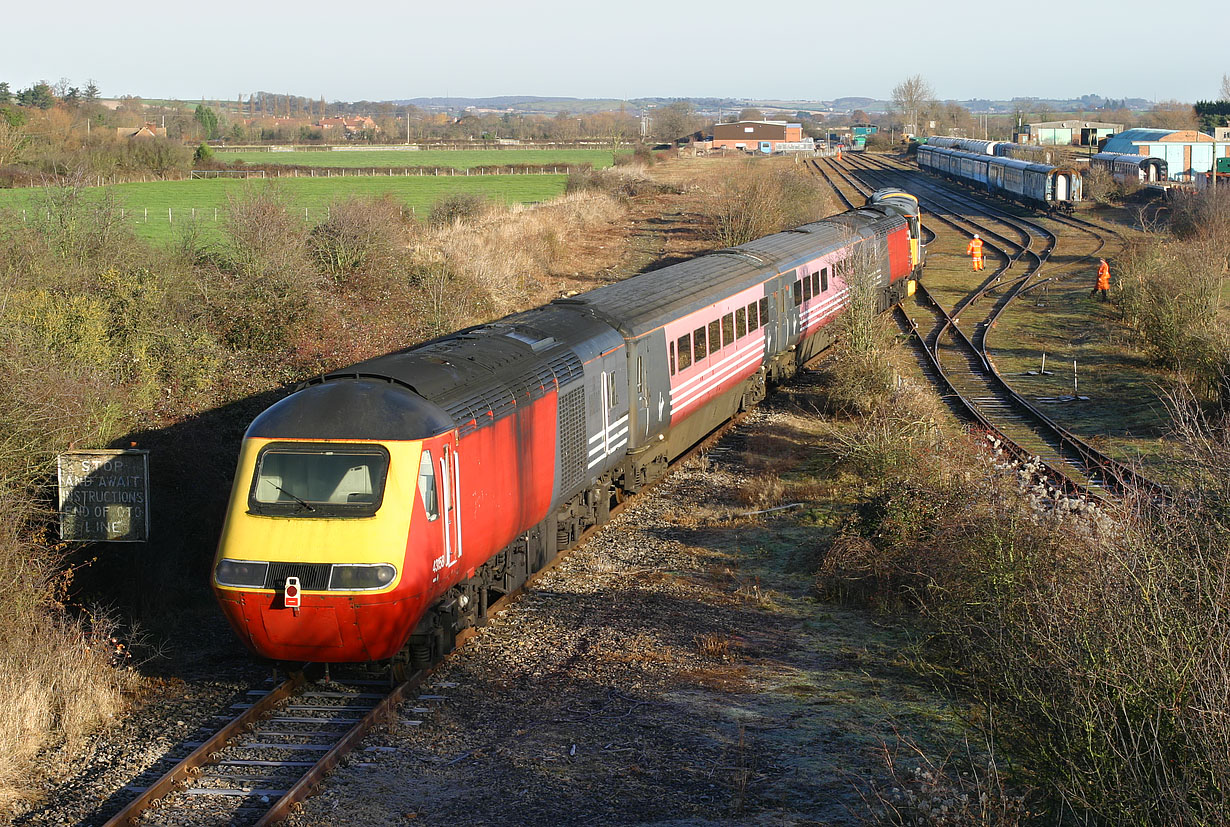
<point>379,510</point>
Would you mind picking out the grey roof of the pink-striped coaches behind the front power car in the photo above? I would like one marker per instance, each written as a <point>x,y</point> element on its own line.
<point>644,303</point>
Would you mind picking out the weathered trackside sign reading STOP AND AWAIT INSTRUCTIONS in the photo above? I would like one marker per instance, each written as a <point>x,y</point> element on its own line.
<point>105,497</point>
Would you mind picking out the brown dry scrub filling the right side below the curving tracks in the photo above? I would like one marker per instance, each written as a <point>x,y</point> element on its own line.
<point>1098,639</point>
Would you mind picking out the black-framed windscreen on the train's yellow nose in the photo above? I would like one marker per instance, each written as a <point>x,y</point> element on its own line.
<point>319,481</point>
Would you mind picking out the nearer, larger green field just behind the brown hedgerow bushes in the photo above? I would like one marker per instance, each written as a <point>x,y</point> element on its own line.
<point>158,210</point>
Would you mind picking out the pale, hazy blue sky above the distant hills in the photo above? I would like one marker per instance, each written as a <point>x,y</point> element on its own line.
<point>388,50</point>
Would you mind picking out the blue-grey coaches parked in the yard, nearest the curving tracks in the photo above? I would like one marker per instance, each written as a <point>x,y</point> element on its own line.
<point>1038,185</point>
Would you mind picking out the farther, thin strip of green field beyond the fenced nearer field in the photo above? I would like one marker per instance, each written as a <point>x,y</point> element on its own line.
<point>461,159</point>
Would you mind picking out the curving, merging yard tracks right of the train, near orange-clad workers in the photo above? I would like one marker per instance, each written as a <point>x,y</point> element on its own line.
<point>959,362</point>
